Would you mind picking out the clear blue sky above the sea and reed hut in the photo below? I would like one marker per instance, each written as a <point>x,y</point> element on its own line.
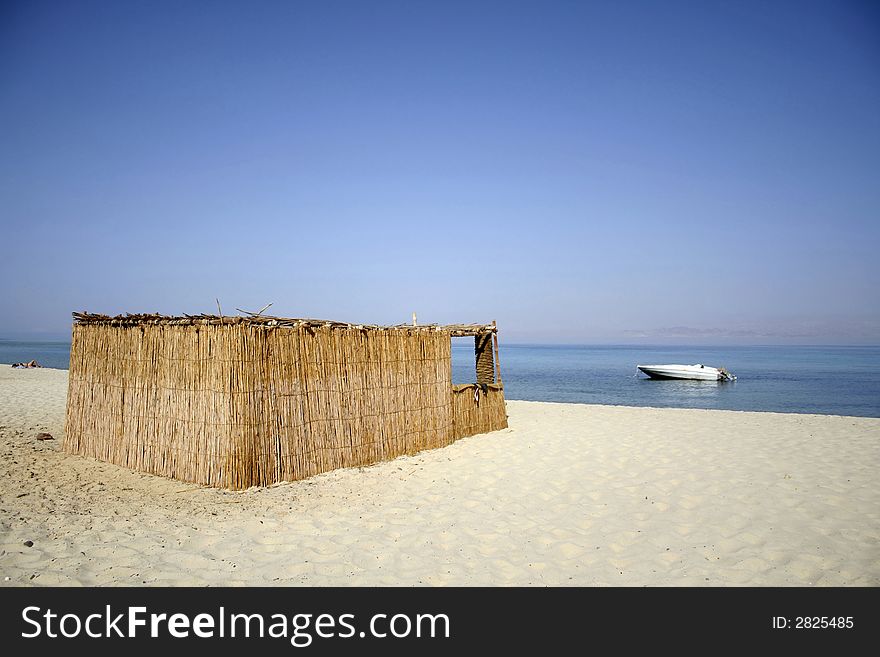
<point>578,171</point>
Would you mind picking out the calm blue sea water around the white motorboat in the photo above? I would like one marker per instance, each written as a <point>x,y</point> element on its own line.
<point>790,379</point>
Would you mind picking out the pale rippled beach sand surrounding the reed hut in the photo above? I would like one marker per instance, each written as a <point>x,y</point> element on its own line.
<point>570,495</point>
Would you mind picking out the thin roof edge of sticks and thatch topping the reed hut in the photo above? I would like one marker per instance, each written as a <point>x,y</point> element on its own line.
<point>267,321</point>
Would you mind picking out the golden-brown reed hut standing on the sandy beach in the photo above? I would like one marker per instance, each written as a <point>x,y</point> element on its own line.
<point>236,402</point>
